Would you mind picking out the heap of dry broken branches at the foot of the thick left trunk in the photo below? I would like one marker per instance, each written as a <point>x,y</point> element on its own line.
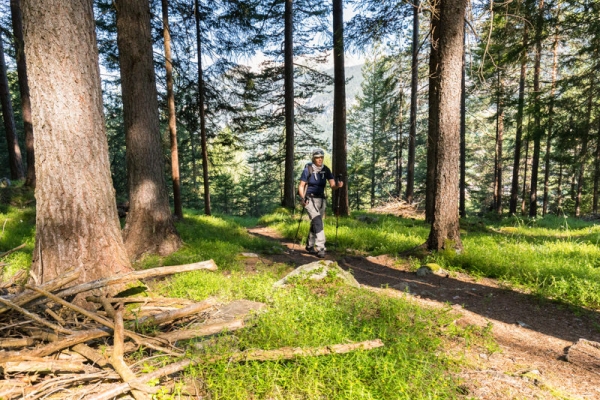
<point>51,347</point>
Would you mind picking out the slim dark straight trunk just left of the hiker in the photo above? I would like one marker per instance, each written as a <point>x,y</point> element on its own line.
<point>288,179</point>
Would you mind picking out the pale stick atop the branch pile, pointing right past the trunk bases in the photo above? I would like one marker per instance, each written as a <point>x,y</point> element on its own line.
<point>136,275</point>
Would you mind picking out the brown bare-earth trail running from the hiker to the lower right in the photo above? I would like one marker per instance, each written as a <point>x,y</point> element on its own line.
<point>533,334</point>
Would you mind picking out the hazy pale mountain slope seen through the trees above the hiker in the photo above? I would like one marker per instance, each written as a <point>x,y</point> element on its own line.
<point>325,121</point>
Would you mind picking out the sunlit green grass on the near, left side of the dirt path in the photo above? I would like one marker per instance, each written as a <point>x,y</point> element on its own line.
<point>411,365</point>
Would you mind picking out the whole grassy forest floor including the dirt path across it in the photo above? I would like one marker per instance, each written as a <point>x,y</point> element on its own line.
<point>493,322</point>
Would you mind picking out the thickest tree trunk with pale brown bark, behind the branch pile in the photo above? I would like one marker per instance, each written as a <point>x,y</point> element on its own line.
<point>76,215</point>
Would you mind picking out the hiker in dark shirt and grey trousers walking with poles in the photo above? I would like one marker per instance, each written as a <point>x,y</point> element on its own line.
<point>312,196</point>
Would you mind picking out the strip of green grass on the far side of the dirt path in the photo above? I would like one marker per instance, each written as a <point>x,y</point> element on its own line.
<point>553,257</point>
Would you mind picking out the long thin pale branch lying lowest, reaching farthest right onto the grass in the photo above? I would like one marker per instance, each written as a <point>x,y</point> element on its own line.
<point>264,355</point>
